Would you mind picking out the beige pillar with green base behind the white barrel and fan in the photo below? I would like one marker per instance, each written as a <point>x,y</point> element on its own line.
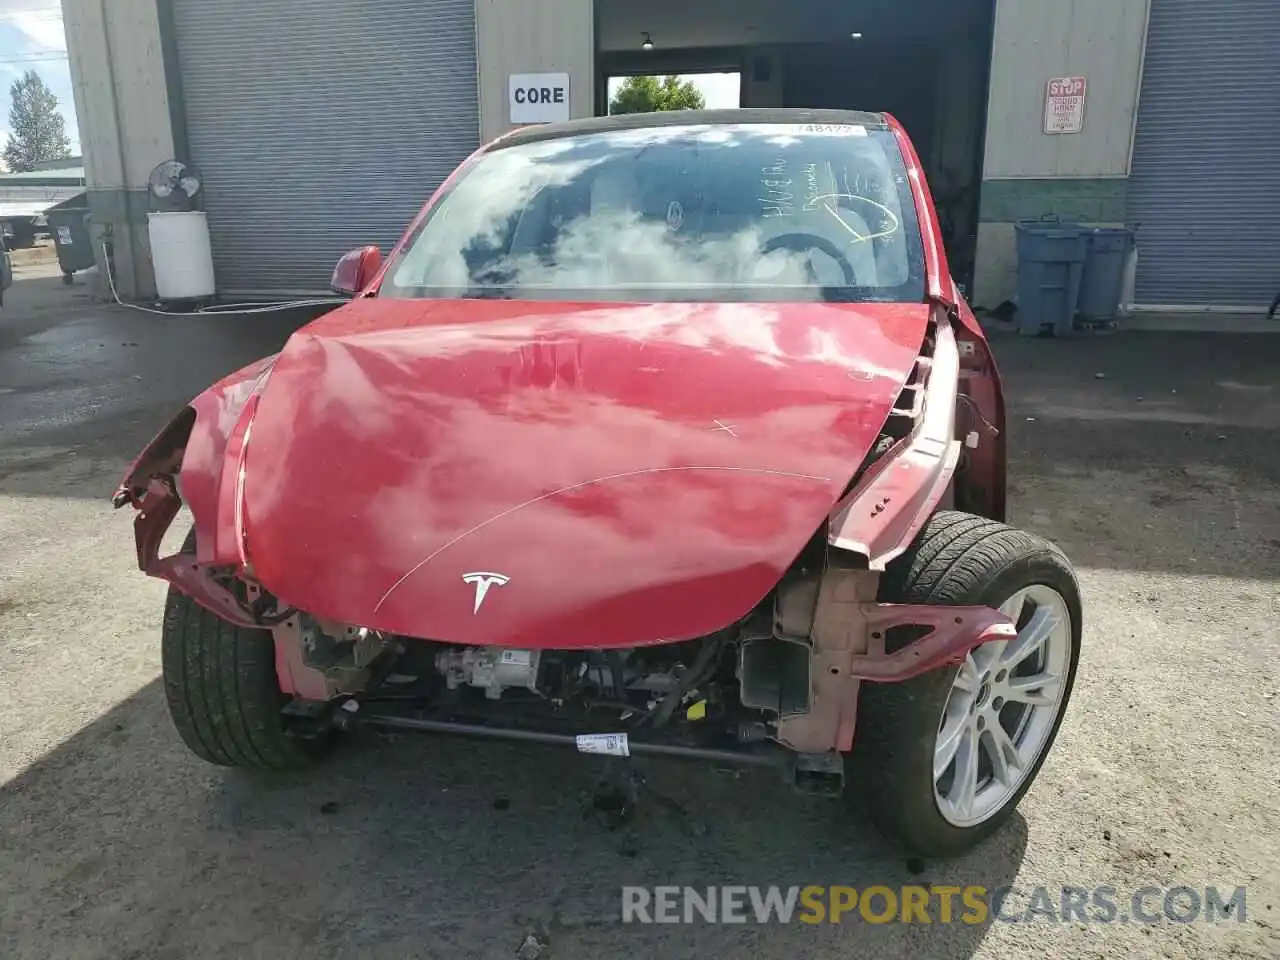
<point>118,79</point>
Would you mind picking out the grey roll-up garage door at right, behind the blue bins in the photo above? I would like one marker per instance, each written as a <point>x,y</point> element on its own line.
<point>1205,185</point>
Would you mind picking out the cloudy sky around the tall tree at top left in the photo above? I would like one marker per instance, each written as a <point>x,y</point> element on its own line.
<point>33,39</point>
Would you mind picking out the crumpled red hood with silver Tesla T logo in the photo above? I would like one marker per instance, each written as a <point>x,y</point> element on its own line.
<point>618,474</point>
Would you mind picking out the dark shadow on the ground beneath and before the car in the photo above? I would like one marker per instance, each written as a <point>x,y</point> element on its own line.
<point>424,847</point>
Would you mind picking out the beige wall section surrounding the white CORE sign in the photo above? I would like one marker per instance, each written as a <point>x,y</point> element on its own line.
<point>518,36</point>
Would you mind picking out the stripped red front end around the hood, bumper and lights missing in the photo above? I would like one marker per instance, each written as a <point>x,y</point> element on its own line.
<point>779,687</point>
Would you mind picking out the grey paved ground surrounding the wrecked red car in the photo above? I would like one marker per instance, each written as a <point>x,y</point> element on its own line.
<point>1153,459</point>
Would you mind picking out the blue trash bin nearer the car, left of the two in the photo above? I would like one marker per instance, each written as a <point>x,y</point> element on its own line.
<point>1052,255</point>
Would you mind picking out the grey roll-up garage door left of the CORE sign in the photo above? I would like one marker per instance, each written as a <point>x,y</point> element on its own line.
<point>321,126</point>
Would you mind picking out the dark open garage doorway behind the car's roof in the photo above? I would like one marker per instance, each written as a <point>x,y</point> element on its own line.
<point>926,62</point>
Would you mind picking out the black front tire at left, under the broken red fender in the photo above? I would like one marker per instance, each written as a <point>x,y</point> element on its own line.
<point>223,694</point>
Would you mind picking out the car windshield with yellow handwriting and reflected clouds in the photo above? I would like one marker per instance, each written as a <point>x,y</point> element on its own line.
<point>684,213</point>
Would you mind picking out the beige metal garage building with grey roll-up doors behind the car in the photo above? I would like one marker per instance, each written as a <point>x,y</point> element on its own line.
<point>323,126</point>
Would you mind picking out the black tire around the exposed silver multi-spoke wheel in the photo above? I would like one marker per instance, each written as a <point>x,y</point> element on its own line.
<point>957,560</point>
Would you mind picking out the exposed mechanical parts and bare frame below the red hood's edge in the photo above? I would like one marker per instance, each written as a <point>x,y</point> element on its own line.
<point>780,687</point>
